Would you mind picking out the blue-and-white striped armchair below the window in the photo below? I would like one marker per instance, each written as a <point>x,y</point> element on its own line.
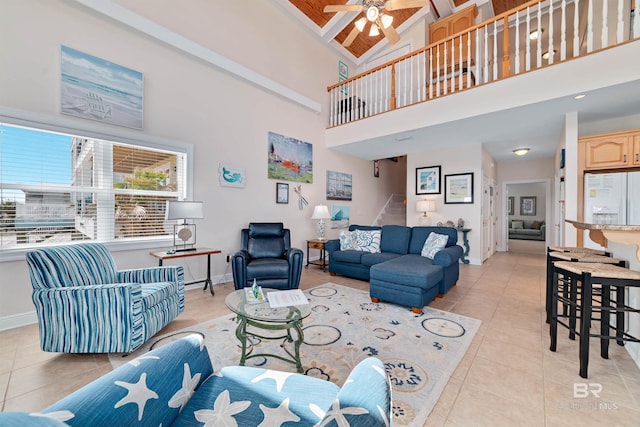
<point>85,305</point>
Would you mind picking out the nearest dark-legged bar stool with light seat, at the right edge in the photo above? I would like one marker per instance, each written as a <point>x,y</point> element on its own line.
<point>612,279</point>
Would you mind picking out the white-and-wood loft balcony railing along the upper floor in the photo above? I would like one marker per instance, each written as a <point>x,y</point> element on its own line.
<point>496,49</point>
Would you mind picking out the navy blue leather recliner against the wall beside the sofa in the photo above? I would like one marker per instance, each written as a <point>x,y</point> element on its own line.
<point>268,257</point>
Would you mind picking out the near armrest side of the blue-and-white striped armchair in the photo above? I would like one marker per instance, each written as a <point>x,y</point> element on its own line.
<point>94,318</point>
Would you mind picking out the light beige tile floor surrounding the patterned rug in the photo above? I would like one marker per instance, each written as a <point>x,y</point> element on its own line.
<point>507,378</point>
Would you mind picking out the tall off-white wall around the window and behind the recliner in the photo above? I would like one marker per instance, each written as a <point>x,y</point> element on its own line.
<point>187,100</point>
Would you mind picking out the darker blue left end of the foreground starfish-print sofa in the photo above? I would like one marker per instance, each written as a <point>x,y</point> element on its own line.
<point>150,390</point>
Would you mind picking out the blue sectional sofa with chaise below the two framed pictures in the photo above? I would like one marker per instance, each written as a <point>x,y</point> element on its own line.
<point>398,273</point>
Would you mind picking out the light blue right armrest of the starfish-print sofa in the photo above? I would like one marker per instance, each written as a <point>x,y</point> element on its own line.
<point>367,394</point>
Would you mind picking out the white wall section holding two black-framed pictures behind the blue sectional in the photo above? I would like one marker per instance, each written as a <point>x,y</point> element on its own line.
<point>459,160</point>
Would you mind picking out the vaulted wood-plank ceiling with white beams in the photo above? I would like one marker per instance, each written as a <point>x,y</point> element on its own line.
<point>335,27</point>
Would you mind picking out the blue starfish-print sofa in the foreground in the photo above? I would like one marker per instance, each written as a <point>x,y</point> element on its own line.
<point>175,385</point>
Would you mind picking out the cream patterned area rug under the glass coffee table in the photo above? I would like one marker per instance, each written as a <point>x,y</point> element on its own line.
<point>420,352</point>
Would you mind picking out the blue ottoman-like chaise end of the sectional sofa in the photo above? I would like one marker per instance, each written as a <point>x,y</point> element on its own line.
<point>409,280</point>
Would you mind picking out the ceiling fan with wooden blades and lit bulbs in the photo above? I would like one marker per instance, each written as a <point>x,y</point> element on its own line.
<point>374,13</point>
